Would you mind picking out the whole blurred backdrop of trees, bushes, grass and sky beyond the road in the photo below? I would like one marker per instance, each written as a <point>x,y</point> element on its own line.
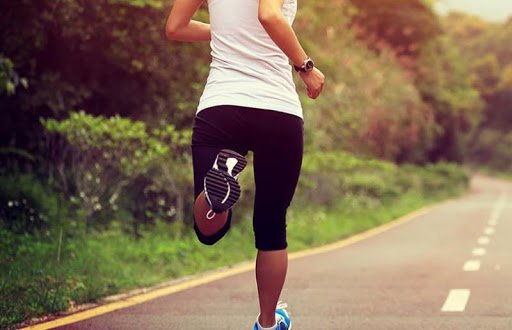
<point>95,165</point>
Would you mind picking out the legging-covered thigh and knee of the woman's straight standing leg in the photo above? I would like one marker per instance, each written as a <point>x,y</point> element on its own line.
<point>277,162</point>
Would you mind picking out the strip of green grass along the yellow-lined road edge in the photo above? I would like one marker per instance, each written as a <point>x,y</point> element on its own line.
<point>109,262</point>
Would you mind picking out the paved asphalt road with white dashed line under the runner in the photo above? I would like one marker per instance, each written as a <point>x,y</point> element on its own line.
<point>448,269</point>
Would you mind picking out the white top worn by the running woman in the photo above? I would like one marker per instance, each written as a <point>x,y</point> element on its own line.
<point>248,69</point>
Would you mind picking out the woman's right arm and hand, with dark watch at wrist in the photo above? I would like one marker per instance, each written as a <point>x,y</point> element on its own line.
<point>277,27</point>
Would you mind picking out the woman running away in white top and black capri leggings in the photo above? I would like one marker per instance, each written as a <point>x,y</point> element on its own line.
<point>249,104</point>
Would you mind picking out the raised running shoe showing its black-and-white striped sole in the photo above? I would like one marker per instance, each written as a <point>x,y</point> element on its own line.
<point>221,187</point>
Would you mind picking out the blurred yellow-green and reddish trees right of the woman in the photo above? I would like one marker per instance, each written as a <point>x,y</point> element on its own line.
<point>402,94</point>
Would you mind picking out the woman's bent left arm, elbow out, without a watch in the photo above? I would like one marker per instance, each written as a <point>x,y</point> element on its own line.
<point>180,25</point>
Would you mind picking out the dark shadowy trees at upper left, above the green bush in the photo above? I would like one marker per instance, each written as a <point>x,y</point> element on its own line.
<point>107,57</point>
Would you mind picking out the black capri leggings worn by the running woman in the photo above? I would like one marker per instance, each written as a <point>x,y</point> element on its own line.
<point>276,139</point>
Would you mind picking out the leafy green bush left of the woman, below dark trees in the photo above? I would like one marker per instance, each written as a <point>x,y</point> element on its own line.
<point>99,162</point>
